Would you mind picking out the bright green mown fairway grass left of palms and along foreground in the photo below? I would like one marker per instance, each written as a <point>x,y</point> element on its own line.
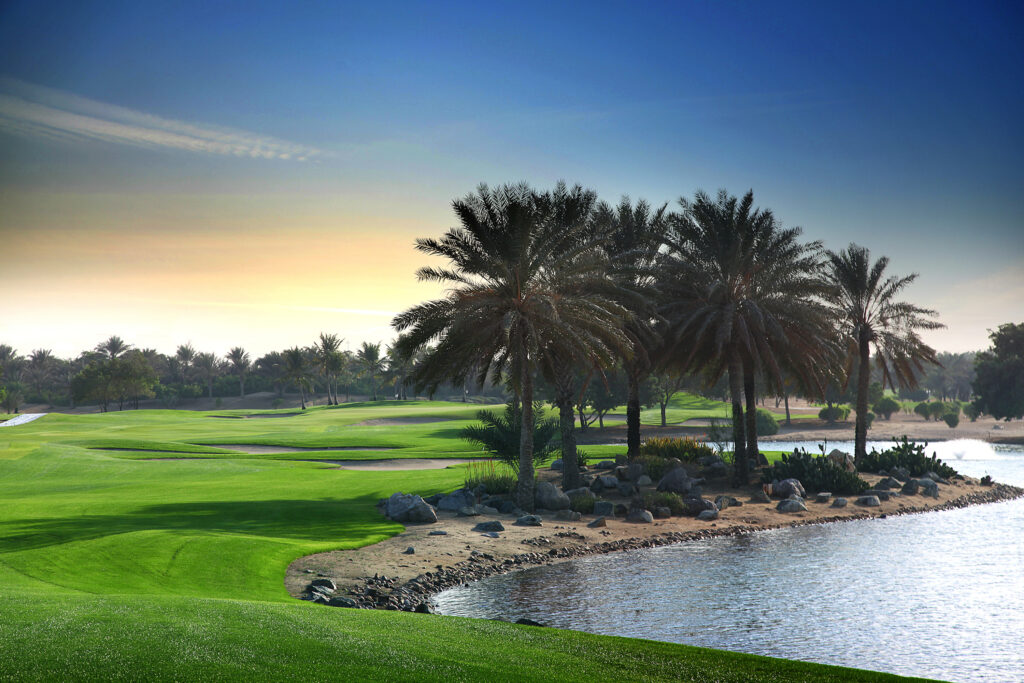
<point>117,568</point>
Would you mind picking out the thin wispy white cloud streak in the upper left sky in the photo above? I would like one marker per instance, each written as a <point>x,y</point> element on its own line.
<point>40,112</point>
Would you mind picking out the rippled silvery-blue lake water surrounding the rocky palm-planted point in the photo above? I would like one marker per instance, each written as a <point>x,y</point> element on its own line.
<point>937,595</point>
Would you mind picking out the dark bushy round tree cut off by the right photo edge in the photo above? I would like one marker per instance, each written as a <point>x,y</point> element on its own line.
<point>1000,380</point>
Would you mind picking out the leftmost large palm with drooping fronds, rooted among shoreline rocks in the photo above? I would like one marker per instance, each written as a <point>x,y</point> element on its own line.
<point>524,287</point>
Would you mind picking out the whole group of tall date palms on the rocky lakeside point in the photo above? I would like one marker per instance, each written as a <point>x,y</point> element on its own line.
<point>546,283</point>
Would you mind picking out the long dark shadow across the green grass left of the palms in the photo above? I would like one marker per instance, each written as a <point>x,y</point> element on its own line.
<point>298,521</point>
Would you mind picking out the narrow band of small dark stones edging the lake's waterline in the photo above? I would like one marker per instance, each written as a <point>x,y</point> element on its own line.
<point>381,592</point>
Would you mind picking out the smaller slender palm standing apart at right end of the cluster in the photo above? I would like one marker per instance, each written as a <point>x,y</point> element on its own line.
<point>870,316</point>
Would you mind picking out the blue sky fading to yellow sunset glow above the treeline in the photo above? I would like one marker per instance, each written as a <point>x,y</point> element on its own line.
<point>254,175</point>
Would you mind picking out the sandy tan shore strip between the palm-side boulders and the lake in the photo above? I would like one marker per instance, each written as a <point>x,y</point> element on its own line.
<point>386,576</point>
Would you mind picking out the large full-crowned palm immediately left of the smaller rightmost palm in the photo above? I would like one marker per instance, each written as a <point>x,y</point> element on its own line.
<point>746,297</point>
